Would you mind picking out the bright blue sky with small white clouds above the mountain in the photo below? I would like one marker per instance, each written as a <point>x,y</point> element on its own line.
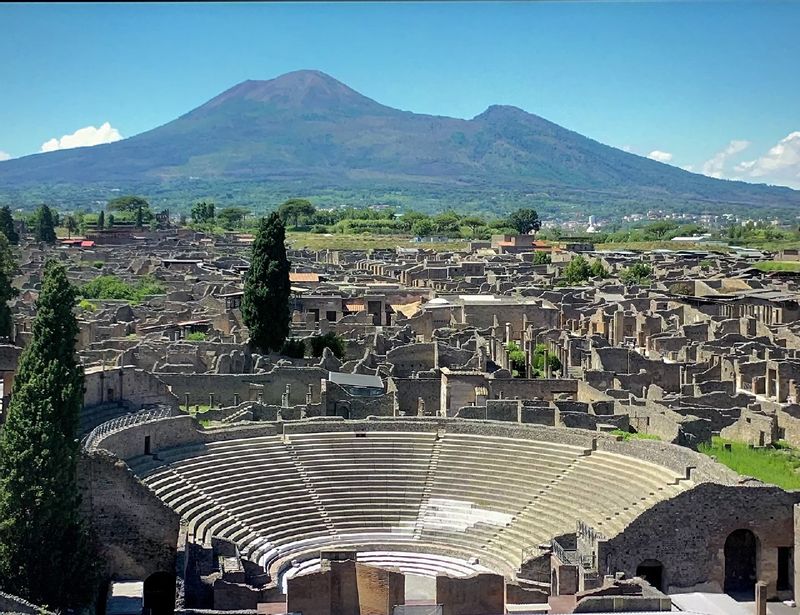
<point>712,86</point>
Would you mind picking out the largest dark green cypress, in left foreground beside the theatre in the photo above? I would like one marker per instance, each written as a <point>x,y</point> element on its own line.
<point>44,552</point>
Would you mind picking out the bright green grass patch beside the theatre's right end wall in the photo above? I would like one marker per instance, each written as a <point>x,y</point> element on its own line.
<point>776,465</point>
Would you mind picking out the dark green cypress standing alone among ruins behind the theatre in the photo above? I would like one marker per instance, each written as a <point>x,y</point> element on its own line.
<point>265,305</point>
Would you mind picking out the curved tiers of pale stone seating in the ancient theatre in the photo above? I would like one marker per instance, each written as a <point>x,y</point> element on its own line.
<point>283,498</point>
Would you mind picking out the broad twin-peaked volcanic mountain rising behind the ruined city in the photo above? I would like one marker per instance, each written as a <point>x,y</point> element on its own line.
<point>307,127</point>
